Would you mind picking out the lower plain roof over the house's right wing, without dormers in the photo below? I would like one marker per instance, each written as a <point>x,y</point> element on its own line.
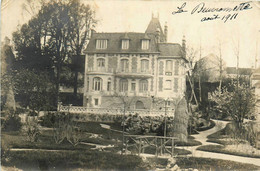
<point>170,49</point>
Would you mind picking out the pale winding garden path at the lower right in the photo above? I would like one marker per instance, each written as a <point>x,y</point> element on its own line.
<point>202,137</point>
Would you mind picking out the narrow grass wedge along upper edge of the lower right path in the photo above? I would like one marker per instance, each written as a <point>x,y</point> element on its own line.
<point>221,149</point>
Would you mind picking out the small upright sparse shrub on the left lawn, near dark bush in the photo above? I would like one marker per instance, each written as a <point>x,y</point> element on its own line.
<point>32,129</point>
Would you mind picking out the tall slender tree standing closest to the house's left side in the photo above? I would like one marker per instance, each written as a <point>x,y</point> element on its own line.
<point>81,22</point>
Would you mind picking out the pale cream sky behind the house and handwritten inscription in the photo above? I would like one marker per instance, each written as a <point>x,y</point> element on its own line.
<point>242,31</point>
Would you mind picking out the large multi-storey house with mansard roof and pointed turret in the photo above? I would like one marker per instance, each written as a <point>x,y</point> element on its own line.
<point>140,69</point>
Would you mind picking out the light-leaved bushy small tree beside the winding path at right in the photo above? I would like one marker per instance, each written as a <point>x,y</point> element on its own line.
<point>236,100</point>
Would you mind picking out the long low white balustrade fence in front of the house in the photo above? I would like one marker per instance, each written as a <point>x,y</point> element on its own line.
<point>117,111</point>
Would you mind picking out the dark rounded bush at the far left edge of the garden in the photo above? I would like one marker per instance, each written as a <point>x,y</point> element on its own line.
<point>12,123</point>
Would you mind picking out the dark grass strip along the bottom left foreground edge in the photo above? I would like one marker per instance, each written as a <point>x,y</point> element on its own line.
<point>44,160</point>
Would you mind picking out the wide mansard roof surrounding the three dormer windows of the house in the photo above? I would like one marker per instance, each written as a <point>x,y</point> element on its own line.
<point>114,43</point>
